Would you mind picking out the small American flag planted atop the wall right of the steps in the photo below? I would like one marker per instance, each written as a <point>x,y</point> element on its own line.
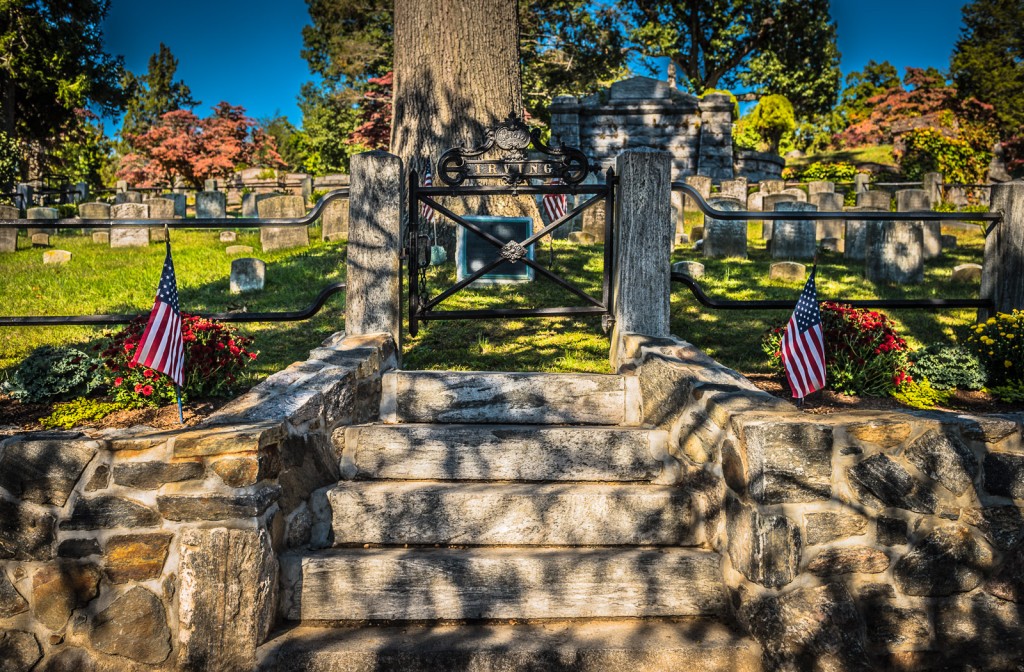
<point>803,345</point>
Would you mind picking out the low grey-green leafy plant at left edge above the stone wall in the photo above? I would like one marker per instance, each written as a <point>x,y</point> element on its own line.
<point>55,373</point>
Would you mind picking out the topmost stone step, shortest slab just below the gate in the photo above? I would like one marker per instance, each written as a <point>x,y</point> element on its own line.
<point>452,397</point>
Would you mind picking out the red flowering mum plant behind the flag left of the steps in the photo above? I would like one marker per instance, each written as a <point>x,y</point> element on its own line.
<point>216,358</point>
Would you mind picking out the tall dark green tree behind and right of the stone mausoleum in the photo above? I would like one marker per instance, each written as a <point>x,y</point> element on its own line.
<point>773,47</point>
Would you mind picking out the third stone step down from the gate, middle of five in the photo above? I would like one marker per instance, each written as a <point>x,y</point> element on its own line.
<point>509,515</point>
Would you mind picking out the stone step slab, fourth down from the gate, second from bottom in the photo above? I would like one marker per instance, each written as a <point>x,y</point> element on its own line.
<point>479,584</point>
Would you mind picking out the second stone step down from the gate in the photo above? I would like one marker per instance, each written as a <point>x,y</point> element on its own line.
<point>428,452</point>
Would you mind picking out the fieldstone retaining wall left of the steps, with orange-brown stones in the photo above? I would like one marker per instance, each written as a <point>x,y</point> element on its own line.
<point>143,550</point>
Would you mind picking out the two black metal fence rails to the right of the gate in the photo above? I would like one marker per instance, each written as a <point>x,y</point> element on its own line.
<point>992,219</point>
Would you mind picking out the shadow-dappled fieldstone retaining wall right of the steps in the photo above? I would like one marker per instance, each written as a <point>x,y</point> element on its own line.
<point>851,541</point>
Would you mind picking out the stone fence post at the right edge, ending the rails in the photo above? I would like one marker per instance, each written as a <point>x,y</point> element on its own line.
<point>1003,275</point>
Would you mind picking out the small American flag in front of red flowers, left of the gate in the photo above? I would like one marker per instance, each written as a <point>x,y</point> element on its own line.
<point>162,348</point>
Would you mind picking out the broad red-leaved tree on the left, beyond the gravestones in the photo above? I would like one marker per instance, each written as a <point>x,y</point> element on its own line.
<point>197,150</point>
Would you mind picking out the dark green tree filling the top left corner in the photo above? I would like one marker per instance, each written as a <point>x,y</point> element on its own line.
<point>53,66</point>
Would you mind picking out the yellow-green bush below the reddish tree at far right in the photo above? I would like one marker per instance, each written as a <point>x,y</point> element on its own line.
<point>930,151</point>
